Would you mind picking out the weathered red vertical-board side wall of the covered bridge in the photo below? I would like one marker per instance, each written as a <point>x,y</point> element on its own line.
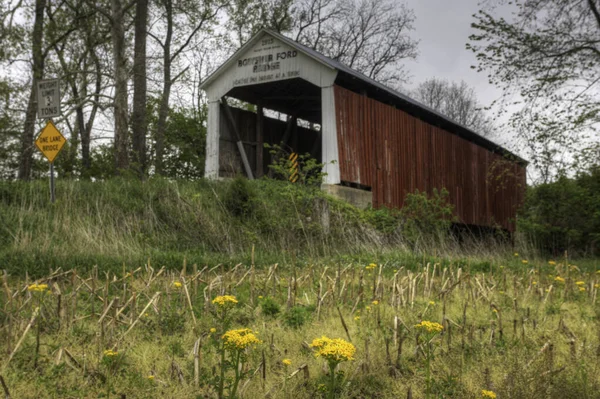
<point>395,153</point>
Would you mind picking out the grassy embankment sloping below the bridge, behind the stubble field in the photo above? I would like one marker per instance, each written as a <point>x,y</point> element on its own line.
<point>120,221</point>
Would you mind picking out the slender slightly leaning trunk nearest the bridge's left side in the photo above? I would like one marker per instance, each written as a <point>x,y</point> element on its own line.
<point>163,112</point>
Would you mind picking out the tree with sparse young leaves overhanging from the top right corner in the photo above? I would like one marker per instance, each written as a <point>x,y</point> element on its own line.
<point>546,58</point>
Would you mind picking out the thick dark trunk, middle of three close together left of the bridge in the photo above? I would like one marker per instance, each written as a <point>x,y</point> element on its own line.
<point>139,125</point>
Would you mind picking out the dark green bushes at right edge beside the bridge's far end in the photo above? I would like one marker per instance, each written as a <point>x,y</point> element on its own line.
<point>564,215</point>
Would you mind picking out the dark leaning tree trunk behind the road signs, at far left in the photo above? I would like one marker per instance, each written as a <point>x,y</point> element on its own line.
<point>26,156</point>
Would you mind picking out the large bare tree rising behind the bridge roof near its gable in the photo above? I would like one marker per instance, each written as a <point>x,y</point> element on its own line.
<point>370,36</point>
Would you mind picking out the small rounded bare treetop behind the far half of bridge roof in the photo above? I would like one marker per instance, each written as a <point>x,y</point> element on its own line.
<point>457,101</point>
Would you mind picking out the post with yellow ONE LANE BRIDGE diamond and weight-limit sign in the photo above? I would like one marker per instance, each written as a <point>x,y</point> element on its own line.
<point>50,141</point>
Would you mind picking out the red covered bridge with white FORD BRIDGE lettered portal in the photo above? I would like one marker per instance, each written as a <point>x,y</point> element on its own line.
<point>375,143</point>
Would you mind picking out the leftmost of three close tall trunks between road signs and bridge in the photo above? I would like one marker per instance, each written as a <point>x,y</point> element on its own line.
<point>120,107</point>
